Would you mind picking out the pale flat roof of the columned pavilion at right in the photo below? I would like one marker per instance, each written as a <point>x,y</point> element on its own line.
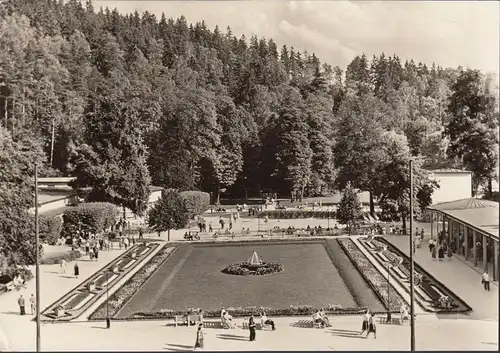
<point>483,215</point>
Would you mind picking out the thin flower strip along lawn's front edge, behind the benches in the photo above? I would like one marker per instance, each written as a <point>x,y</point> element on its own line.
<point>293,310</point>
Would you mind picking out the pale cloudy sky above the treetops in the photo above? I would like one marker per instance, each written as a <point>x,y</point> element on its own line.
<point>449,33</point>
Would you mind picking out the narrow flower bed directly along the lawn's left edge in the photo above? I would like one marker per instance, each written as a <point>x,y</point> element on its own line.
<point>122,295</point>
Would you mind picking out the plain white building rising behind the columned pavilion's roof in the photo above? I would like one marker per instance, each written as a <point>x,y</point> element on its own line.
<point>454,184</point>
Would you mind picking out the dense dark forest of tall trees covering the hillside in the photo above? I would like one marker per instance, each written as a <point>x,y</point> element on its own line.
<point>127,101</point>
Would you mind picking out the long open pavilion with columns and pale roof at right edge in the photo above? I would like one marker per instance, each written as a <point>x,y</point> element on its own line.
<point>471,228</point>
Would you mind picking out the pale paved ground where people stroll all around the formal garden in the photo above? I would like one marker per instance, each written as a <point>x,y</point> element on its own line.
<point>477,331</point>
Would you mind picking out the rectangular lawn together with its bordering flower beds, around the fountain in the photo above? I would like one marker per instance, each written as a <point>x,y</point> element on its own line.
<point>312,274</point>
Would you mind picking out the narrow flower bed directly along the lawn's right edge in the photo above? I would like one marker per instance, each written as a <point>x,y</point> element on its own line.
<point>374,278</point>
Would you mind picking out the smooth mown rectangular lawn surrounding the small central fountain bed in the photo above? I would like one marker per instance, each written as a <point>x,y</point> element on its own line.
<point>192,278</point>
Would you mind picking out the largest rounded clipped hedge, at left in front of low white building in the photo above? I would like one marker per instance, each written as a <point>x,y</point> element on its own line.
<point>92,217</point>
